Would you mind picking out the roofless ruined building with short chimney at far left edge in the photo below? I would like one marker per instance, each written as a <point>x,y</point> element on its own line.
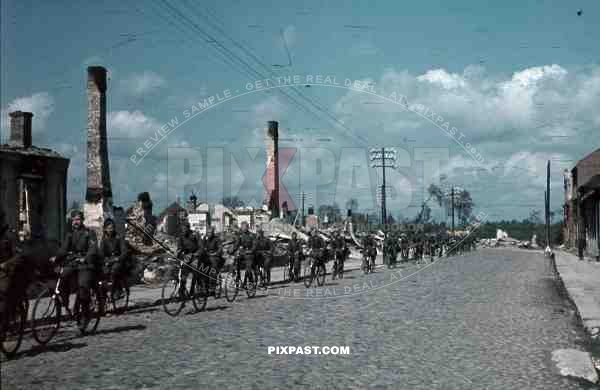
<point>33,183</point>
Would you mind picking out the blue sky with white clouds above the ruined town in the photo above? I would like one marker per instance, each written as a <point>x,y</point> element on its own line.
<point>469,93</point>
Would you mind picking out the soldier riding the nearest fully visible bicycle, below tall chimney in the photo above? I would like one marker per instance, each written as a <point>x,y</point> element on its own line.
<point>82,244</point>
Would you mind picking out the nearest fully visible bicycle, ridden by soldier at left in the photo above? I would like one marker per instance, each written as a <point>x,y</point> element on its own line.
<point>52,301</point>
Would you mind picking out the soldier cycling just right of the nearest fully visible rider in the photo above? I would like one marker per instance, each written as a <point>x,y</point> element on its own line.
<point>114,247</point>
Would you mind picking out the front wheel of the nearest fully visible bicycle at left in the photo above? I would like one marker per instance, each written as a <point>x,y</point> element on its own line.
<point>46,316</point>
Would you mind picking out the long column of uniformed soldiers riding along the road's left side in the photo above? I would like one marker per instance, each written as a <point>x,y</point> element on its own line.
<point>85,261</point>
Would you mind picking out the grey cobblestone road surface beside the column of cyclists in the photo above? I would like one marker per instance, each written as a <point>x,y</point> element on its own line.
<point>487,320</point>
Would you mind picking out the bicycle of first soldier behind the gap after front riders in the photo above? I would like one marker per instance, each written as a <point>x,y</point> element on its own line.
<point>175,291</point>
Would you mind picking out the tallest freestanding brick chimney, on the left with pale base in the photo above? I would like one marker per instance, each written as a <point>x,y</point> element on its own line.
<point>98,196</point>
